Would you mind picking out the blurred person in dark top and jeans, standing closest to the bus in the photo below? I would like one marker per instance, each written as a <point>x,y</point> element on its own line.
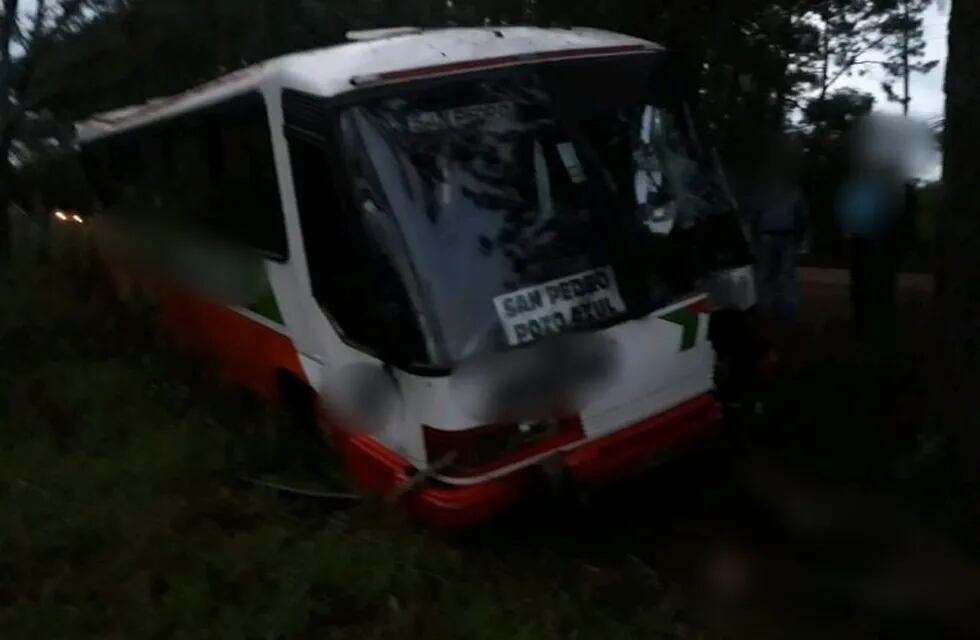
<point>778,223</point>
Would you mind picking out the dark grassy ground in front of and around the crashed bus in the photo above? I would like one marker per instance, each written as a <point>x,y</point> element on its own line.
<point>123,513</point>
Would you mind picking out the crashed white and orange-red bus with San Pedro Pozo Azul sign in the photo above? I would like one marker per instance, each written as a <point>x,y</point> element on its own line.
<point>485,250</point>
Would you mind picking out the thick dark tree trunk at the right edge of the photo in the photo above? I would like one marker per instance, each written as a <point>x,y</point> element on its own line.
<point>958,290</point>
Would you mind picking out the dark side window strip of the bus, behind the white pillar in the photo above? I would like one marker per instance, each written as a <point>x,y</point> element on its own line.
<point>210,170</point>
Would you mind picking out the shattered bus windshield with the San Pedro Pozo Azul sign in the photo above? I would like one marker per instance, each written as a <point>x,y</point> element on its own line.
<point>511,207</point>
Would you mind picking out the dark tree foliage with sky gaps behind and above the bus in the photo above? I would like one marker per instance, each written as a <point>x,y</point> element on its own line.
<point>753,68</point>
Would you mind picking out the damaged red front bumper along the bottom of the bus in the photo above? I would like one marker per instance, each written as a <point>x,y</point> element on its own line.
<point>377,470</point>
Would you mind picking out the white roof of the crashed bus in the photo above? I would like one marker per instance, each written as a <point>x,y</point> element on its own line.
<point>340,68</point>
